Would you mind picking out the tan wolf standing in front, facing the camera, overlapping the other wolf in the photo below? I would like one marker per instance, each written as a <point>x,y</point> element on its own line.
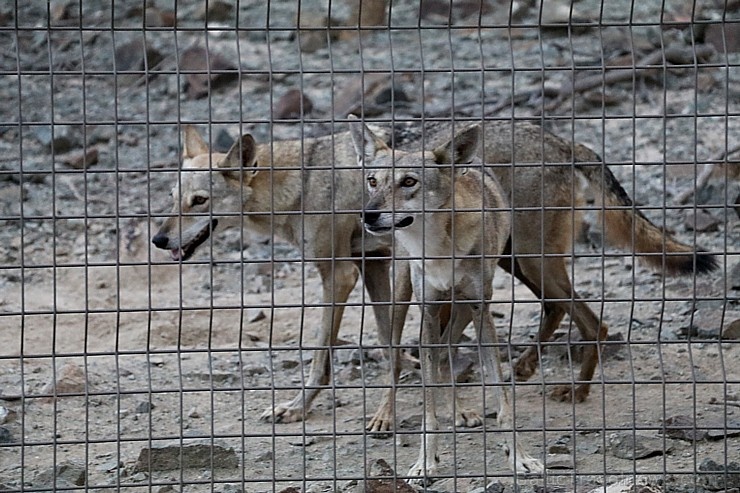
<point>453,222</point>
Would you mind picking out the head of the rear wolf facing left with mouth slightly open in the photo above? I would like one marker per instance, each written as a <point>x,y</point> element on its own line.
<point>210,190</point>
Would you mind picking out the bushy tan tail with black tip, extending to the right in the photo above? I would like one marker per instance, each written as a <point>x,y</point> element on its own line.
<point>626,227</point>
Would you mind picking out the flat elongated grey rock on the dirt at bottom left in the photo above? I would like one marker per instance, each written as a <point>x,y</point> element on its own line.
<point>188,456</point>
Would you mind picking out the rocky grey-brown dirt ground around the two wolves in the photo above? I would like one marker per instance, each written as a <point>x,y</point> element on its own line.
<point>157,353</point>
